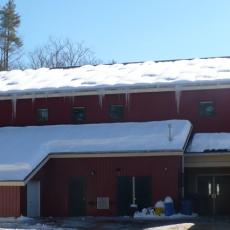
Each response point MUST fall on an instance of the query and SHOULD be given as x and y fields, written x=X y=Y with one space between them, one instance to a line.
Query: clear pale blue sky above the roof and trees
x=130 y=30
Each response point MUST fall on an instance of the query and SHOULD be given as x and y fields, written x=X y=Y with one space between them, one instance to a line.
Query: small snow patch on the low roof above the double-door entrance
x=209 y=142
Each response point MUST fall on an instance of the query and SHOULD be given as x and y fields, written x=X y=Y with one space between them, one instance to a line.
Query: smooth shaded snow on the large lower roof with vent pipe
x=23 y=148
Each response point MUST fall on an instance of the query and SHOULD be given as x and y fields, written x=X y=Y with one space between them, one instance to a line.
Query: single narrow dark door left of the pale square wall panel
x=77 y=196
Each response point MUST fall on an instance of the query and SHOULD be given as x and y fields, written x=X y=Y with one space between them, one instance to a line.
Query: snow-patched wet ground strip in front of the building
x=116 y=223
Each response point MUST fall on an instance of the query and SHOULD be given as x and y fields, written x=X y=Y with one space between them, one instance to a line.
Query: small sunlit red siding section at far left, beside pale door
x=10 y=202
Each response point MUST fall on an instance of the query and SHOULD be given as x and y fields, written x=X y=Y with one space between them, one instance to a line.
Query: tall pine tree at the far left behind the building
x=9 y=40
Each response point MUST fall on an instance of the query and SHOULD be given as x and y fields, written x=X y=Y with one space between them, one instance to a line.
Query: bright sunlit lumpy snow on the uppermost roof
x=117 y=76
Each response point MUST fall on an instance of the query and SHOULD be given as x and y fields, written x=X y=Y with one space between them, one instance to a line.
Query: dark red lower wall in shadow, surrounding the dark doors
x=54 y=177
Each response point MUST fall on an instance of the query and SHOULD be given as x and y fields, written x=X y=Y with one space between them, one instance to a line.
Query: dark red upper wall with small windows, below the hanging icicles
x=139 y=107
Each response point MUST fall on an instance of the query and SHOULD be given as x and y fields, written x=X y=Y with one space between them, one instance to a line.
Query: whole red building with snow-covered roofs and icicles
x=113 y=96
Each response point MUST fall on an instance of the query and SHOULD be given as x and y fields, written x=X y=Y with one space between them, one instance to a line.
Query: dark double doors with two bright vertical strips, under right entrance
x=214 y=195
